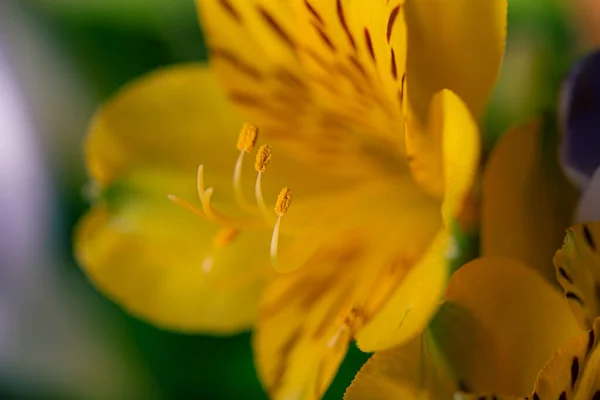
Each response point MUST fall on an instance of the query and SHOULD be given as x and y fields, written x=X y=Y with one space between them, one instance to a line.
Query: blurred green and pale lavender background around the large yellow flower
x=59 y=60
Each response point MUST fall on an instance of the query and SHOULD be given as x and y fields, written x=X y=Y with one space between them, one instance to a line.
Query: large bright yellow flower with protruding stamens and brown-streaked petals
x=359 y=240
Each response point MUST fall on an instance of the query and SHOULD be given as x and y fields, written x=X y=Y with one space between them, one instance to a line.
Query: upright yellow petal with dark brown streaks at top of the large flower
x=313 y=73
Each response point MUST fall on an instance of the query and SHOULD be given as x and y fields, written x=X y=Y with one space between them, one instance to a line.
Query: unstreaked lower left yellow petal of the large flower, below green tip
x=166 y=265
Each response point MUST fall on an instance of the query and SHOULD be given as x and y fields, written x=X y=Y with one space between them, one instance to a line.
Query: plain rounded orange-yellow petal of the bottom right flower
x=526 y=317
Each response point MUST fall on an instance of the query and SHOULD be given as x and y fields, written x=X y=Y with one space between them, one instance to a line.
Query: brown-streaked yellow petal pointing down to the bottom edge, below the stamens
x=309 y=316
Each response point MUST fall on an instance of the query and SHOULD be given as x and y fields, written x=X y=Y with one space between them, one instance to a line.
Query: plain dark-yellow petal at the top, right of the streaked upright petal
x=455 y=45
